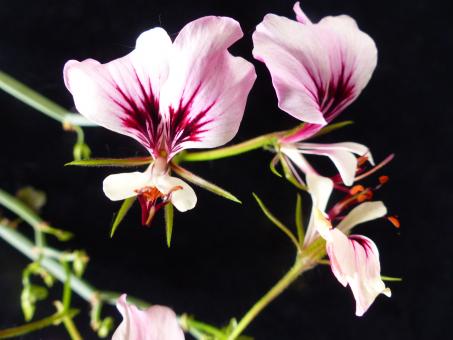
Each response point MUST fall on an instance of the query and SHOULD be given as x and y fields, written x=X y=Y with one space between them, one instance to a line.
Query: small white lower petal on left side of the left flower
x=121 y=186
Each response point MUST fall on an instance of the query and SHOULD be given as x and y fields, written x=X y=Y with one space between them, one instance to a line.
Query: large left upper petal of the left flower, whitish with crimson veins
x=123 y=95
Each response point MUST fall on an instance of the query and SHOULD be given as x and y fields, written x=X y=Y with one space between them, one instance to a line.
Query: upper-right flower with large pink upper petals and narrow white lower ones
x=317 y=70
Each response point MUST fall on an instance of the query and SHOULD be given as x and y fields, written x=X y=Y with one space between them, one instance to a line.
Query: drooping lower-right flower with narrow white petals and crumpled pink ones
x=355 y=259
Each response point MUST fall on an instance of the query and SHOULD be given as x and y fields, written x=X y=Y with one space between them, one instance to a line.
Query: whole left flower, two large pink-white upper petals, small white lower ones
x=169 y=96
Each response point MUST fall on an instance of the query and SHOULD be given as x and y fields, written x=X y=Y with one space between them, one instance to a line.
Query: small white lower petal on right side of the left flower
x=183 y=197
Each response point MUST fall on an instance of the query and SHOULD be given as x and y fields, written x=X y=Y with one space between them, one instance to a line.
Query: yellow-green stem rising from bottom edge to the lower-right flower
x=275 y=291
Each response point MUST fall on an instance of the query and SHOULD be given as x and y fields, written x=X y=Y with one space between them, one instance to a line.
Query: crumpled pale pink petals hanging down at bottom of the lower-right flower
x=355 y=261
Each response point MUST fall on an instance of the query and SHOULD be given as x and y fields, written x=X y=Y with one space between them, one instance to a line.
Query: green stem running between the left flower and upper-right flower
x=233 y=150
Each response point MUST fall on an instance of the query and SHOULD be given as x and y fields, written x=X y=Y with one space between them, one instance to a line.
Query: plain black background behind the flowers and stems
x=225 y=256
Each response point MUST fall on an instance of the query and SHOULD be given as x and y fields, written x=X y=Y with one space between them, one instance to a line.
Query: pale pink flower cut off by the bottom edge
x=154 y=323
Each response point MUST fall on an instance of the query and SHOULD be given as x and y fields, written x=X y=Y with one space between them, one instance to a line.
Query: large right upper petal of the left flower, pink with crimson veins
x=207 y=87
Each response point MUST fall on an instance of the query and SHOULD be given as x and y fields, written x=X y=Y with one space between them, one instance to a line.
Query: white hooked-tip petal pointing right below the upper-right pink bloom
x=341 y=154
